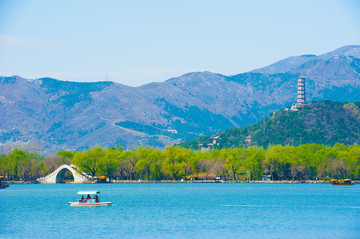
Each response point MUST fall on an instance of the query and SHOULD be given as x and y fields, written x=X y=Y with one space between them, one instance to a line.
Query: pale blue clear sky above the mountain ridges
x=136 y=42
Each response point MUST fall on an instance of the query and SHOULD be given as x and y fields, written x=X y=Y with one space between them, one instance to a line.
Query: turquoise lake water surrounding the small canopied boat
x=182 y=210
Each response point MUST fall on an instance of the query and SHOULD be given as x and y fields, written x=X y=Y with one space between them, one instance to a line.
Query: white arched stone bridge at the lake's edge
x=58 y=175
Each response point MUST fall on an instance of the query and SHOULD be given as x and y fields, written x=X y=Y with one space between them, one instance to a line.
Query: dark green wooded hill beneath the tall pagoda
x=323 y=122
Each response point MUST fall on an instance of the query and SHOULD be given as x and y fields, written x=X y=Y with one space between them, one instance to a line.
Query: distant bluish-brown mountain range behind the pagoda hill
x=71 y=115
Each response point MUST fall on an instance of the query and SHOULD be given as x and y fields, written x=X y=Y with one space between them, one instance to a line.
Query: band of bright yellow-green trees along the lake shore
x=307 y=161
